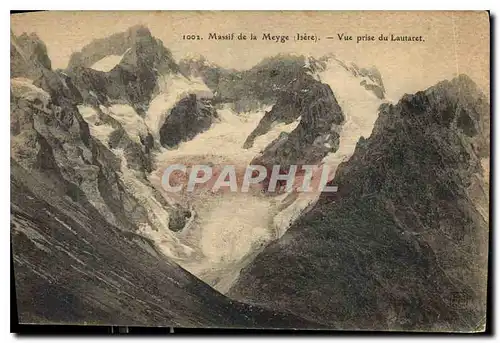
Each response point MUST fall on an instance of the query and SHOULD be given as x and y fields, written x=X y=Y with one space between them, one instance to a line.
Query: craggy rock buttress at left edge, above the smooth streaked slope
x=55 y=141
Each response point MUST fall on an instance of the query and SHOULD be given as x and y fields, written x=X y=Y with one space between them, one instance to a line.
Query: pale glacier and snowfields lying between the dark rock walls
x=228 y=229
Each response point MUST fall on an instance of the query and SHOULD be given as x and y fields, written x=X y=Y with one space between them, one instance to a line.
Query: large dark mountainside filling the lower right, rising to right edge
x=402 y=246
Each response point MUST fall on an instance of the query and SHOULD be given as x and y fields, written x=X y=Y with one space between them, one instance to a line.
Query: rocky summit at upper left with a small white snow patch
x=133 y=80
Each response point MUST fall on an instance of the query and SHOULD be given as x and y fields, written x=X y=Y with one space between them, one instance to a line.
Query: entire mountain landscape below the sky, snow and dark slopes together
x=400 y=246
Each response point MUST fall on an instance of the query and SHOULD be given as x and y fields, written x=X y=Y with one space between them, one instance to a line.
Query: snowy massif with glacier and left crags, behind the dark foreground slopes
x=317 y=105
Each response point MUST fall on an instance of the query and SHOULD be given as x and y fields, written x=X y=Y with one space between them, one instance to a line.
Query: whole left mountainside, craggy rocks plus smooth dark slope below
x=77 y=256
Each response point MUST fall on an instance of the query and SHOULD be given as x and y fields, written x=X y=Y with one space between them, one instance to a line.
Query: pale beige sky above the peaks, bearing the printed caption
x=455 y=42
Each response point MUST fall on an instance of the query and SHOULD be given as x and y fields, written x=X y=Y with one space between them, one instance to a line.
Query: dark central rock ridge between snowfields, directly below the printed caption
x=286 y=82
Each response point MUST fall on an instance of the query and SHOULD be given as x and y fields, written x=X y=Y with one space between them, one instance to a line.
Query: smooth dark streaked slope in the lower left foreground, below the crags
x=73 y=267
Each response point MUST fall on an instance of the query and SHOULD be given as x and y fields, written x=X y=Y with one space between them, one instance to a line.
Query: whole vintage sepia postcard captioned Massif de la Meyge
x=305 y=170
